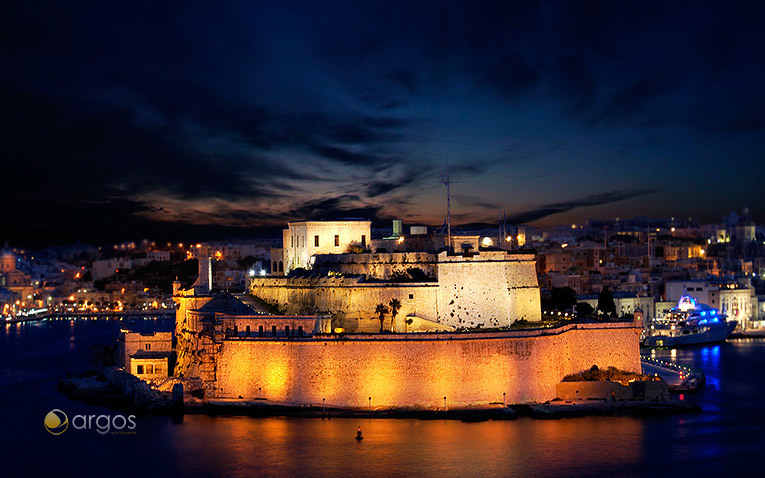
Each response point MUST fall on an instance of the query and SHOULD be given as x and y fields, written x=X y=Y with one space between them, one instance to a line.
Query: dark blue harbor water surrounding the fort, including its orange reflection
x=726 y=439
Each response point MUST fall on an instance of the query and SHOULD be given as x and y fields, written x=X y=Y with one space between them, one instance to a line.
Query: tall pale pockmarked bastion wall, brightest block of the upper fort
x=490 y=289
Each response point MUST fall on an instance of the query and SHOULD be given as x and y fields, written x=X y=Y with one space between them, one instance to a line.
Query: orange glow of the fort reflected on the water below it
x=307 y=447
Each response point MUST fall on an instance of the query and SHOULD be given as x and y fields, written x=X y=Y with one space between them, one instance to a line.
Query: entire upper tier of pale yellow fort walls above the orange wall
x=490 y=289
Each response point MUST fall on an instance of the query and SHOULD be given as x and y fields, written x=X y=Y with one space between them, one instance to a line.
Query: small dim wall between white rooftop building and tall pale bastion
x=377 y=265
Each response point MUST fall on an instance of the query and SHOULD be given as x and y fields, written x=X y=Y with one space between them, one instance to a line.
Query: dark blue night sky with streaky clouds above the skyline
x=145 y=120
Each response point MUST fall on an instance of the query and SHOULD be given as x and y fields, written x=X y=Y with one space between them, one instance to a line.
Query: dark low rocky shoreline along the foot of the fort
x=119 y=390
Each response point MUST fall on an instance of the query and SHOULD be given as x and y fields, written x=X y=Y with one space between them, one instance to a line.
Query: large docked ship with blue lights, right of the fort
x=689 y=323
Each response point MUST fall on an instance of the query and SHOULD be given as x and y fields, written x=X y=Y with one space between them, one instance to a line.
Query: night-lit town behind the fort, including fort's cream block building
x=601 y=268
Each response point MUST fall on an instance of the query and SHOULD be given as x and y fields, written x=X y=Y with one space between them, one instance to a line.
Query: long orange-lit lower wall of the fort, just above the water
x=419 y=370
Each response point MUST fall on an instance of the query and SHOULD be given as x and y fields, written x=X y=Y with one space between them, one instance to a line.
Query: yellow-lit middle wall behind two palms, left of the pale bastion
x=349 y=299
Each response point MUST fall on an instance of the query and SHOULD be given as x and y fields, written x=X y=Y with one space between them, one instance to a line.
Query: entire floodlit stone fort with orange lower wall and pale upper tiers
x=451 y=344
